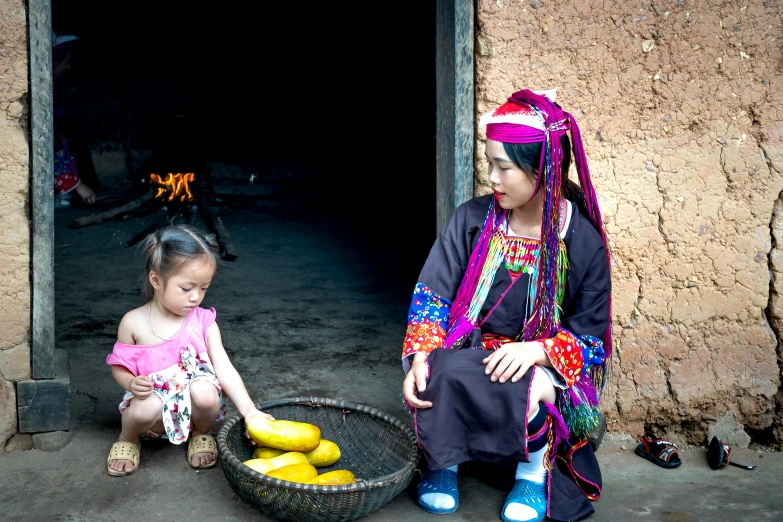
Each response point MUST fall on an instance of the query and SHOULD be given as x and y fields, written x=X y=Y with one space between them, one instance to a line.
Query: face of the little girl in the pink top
x=184 y=290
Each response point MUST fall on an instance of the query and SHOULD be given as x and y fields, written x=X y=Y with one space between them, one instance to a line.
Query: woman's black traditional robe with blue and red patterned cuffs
x=473 y=418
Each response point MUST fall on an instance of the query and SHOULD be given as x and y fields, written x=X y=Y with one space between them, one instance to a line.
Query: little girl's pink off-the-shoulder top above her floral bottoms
x=148 y=359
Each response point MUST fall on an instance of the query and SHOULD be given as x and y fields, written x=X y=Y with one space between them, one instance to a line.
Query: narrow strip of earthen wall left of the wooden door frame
x=14 y=221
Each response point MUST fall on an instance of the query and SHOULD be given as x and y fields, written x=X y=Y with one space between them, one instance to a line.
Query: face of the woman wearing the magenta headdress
x=512 y=186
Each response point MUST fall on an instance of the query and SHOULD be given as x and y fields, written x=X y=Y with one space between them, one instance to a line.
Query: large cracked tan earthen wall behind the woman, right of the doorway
x=679 y=104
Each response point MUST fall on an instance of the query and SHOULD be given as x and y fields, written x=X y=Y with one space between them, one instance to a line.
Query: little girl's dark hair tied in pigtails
x=168 y=248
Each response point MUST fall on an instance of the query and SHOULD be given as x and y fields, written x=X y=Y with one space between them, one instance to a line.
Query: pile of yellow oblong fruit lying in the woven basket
x=292 y=451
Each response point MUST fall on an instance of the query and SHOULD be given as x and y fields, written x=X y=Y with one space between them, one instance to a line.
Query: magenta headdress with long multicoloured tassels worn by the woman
x=534 y=117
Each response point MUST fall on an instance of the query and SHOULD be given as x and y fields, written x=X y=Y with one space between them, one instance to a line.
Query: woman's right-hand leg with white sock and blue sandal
x=527 y=500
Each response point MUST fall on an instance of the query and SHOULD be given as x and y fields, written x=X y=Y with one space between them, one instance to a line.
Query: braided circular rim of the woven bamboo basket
x=228 y=458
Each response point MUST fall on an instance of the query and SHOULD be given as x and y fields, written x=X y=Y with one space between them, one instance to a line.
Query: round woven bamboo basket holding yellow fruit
x=380 y=450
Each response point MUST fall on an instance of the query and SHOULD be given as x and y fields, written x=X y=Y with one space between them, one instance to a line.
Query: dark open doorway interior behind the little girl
x=315 y=128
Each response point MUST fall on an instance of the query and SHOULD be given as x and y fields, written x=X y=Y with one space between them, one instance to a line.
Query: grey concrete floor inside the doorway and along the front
x=304 y=311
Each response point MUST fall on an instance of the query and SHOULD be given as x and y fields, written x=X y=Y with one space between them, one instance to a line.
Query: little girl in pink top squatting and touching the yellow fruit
x=169 y=356
